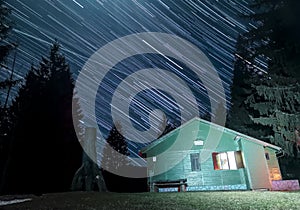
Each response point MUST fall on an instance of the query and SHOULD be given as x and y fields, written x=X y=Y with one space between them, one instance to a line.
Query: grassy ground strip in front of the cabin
x=188 y=200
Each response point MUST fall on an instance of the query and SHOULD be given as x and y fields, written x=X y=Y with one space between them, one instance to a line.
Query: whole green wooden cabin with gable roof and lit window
x=200 y=156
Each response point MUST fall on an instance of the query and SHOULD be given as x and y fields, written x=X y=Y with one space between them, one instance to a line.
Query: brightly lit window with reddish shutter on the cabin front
x=228 y=160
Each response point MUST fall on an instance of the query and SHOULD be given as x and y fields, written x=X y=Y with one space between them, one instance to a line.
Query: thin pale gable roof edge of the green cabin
x=245 y=137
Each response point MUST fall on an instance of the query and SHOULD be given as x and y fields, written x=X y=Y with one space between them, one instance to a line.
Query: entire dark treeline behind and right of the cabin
x=266 y=84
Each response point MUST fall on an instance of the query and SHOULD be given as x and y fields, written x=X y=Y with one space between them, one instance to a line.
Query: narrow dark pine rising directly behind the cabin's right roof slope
x=245 y=74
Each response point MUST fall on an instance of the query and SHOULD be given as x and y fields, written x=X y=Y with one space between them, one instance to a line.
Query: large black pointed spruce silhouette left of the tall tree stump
x=44 y=150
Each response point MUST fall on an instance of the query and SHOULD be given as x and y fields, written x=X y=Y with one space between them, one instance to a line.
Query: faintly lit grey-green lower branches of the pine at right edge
x=276 y=104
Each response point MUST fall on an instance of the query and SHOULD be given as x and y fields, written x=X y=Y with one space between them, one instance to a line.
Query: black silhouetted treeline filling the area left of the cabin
x=39 y=149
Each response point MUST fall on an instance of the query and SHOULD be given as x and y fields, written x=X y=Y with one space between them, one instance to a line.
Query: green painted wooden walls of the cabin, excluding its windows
x=197 y=129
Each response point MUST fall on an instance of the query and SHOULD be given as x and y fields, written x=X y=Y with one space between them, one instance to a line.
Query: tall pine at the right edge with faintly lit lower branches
x=274 y=100
